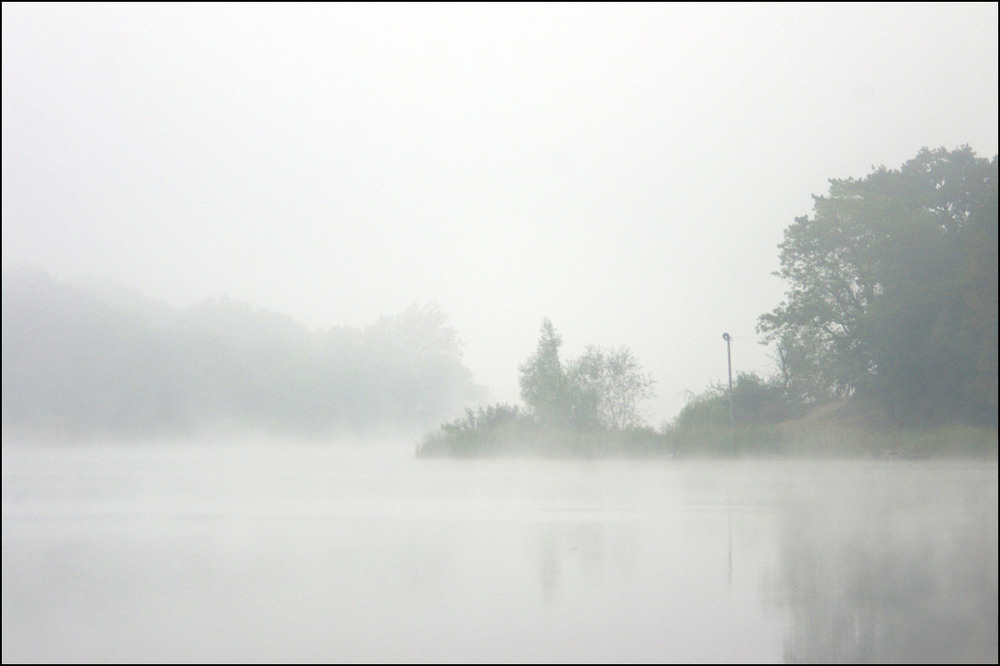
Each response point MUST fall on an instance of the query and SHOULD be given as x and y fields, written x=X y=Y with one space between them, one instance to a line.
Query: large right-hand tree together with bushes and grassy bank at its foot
x=886 y=342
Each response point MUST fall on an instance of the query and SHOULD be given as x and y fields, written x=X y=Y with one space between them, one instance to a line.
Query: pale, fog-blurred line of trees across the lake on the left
x=95 y=361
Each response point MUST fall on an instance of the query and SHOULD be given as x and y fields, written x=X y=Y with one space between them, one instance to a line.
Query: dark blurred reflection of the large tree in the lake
x=894 y=565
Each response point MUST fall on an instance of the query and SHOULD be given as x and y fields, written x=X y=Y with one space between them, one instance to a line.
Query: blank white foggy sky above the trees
x=625 y=170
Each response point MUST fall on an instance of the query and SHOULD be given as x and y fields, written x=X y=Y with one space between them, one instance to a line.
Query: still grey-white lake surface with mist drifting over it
x=306 y=553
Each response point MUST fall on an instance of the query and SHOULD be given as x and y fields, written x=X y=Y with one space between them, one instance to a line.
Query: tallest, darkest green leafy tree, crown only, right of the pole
x=893 y=290
